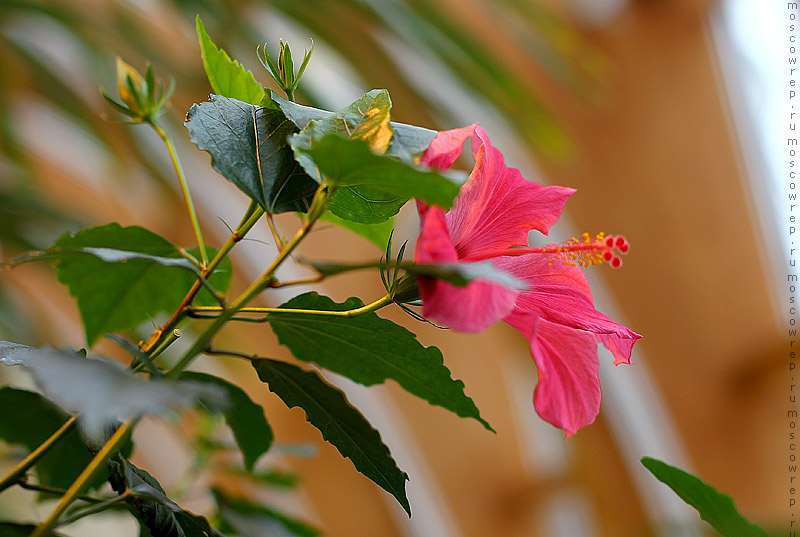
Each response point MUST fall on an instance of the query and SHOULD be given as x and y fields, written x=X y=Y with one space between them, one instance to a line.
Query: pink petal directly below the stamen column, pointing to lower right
x=560 y=294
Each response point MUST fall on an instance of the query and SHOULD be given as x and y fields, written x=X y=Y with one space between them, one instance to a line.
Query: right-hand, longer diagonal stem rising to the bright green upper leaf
x=263 y=281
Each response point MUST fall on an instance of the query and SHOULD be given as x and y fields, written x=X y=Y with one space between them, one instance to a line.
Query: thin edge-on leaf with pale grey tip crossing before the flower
x=459 y=274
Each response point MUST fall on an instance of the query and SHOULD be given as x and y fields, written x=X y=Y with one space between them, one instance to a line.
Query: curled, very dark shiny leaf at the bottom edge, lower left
x=151 y=506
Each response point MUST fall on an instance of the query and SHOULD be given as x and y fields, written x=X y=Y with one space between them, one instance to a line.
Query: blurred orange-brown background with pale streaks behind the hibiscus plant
x=665 y=115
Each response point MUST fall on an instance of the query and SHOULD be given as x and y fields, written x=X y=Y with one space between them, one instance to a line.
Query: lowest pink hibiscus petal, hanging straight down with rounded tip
x=568 y=393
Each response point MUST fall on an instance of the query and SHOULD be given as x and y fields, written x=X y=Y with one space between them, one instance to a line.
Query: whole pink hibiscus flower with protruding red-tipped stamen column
x=491 y=219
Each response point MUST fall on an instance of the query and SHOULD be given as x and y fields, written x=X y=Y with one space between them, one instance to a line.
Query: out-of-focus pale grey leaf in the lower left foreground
x=102 y=392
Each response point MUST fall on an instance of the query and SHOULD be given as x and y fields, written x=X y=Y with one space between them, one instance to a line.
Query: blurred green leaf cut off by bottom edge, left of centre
x=253 y=520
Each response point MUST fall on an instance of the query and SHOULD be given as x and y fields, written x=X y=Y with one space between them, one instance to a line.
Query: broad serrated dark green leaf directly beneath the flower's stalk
x=369 y=350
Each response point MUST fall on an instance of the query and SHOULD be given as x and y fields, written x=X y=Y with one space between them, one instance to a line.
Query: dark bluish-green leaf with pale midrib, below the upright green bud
x=248 y=147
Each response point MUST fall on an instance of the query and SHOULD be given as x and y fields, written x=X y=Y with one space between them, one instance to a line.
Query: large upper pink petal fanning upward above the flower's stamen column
x=497 y=207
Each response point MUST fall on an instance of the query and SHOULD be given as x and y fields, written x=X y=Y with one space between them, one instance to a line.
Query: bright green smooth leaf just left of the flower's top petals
x=351 y=163
